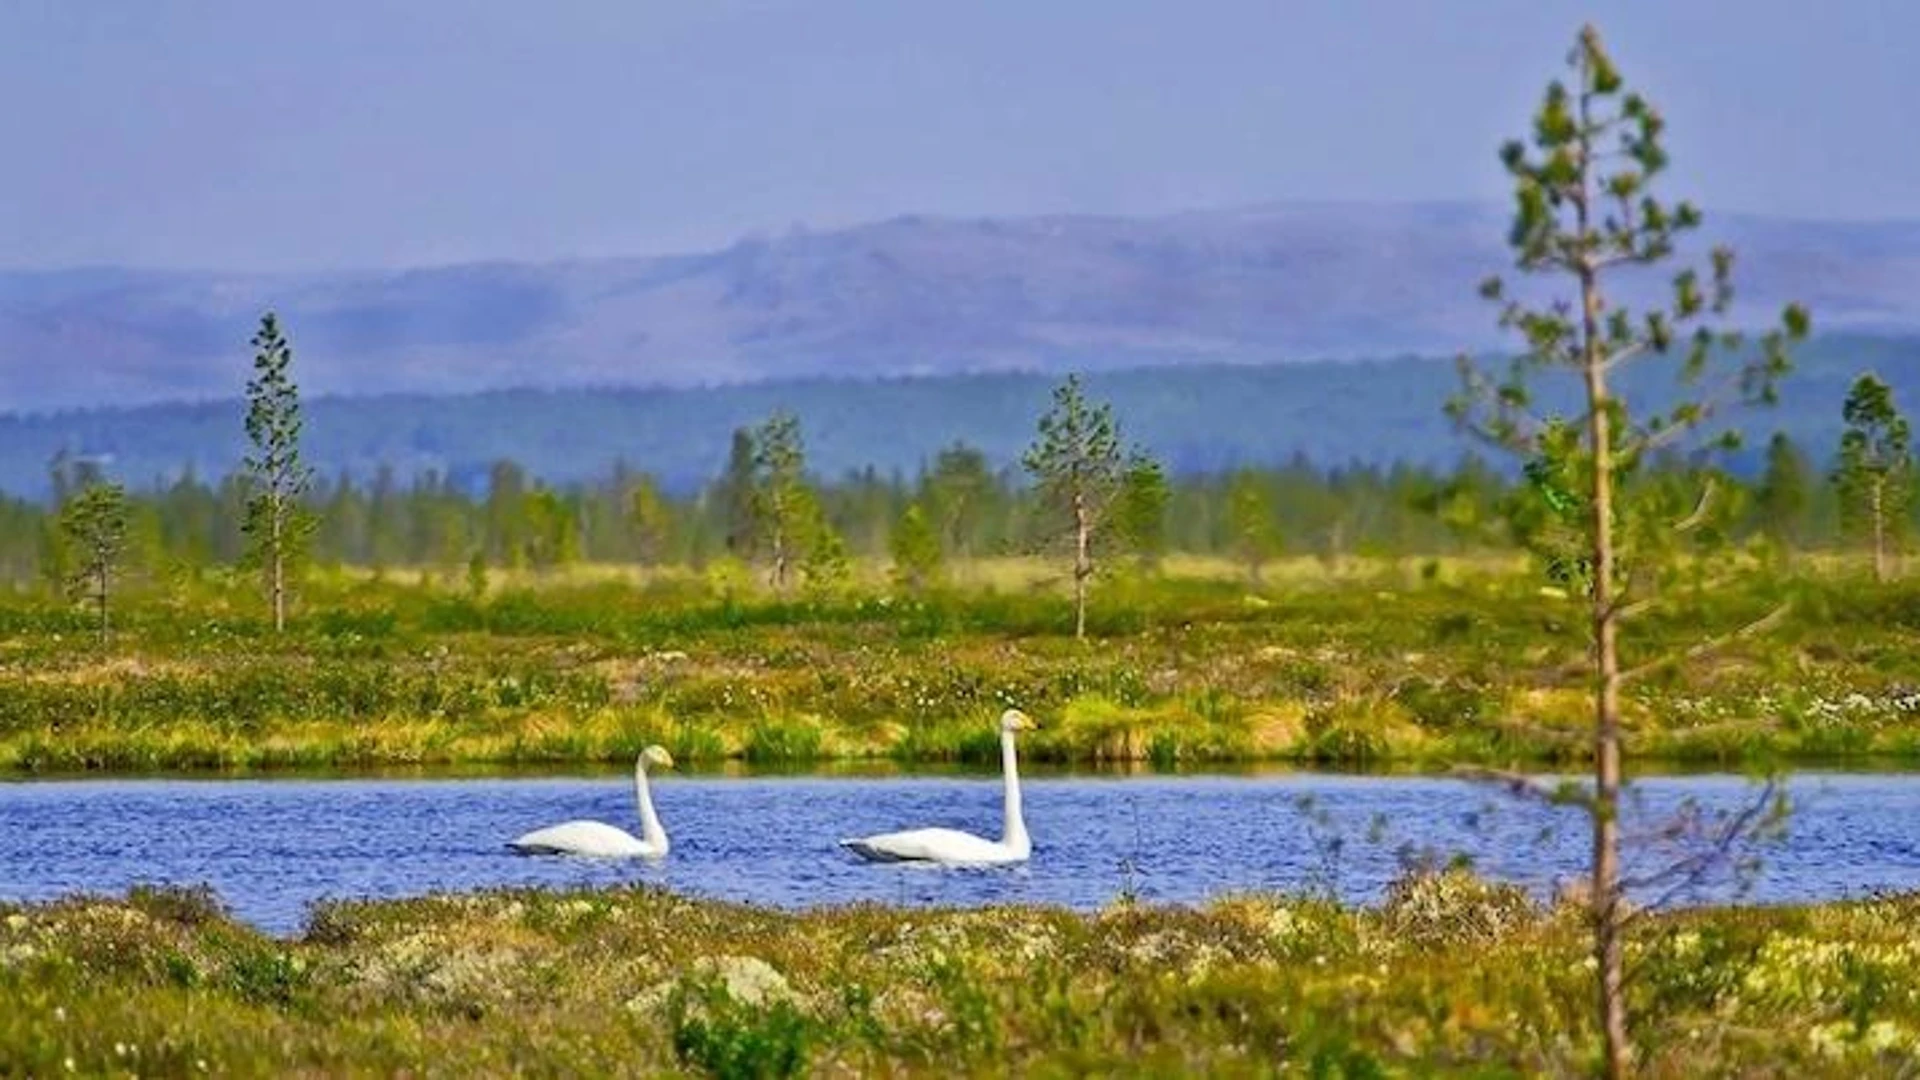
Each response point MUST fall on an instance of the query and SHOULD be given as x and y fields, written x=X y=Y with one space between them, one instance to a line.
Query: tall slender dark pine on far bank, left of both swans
x=277 y=522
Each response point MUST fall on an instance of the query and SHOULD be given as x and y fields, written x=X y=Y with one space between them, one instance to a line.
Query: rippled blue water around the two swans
x=276 y=847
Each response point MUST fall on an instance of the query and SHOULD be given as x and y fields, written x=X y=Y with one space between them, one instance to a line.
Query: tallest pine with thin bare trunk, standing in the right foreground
x=1585 y=210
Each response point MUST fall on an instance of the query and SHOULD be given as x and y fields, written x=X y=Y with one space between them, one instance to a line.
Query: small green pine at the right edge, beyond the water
x=1875 y=472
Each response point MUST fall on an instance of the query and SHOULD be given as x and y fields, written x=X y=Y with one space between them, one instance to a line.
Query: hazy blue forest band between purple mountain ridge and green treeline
x=1197 y=420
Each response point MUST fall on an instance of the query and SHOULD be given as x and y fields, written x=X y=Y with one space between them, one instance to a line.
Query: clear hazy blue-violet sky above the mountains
x=274 y=135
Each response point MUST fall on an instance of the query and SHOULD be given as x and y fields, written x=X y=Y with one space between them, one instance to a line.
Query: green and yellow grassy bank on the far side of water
x=1412 y=664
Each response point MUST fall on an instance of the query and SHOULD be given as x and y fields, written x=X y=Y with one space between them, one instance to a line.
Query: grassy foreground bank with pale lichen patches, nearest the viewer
x=1451 y=975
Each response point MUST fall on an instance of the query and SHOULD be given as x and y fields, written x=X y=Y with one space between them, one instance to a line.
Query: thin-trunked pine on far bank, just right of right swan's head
x=1078 y=472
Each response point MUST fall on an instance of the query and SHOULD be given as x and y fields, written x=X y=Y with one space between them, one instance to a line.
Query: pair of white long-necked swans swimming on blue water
x=948 y=847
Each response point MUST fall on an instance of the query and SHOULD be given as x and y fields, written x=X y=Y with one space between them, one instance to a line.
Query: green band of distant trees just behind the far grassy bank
x=957 y=508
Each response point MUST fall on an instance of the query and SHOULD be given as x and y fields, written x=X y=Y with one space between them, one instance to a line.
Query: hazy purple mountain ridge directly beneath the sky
x=905 y=297
